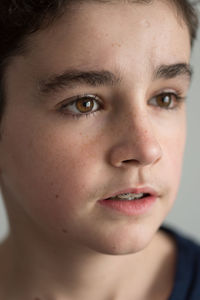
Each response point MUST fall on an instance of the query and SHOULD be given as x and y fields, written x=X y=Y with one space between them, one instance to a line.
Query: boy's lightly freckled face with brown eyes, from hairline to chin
x=55 y=167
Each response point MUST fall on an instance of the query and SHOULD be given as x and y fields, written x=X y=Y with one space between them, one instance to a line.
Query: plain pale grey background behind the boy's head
x=185 y=215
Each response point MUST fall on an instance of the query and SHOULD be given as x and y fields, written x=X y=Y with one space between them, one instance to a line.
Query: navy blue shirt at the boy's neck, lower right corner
x=187 y=277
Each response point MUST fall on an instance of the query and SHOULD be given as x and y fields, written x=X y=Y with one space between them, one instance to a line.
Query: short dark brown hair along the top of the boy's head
x=21 y=18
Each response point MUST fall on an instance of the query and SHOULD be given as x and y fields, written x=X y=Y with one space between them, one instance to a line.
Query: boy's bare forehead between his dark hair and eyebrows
x=91 y=35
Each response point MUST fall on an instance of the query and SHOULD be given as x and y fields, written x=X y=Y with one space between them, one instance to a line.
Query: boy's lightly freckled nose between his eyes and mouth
x=136 y=142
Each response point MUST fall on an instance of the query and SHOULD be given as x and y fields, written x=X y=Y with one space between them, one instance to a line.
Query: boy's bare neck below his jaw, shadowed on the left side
x=44 y=269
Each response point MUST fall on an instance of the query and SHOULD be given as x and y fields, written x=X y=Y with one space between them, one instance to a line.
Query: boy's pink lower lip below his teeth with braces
x=130 y=207
